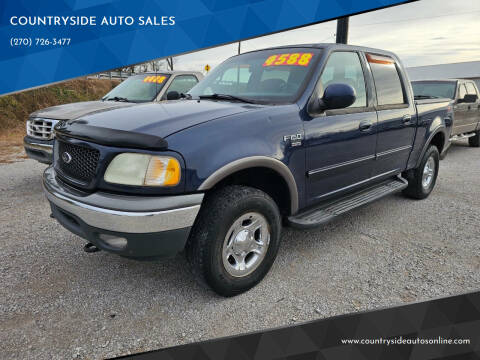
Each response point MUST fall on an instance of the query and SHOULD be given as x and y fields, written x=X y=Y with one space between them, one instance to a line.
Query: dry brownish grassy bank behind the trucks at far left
x=15 y=109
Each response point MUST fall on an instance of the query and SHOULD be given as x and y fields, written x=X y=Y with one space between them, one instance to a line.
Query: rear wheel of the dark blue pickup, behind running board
x=420 y=186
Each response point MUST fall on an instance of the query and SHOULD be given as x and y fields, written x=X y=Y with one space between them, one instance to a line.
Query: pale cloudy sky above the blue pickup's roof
x=426 y=32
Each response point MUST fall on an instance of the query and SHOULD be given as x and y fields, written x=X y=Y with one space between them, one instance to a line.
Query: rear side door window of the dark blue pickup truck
x=387 y=80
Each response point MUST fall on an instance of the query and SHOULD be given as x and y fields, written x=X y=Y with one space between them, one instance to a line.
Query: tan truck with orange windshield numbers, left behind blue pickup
x=140 y=88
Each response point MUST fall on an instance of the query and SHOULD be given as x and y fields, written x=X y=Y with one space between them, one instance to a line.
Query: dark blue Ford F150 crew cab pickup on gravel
x=290 y=136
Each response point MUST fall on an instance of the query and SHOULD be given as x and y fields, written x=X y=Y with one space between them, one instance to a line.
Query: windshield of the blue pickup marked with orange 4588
x=269 y=76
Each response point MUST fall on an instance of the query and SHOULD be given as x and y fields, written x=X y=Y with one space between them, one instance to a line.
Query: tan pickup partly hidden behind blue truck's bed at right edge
x=466 y=105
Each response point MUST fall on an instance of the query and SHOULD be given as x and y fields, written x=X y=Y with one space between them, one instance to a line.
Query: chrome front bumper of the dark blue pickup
x=124 y=214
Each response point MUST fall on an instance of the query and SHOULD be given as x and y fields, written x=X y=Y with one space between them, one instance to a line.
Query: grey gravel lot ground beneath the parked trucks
x=58 y=302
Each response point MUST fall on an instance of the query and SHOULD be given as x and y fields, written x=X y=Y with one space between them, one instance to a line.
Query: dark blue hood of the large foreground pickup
x=151 y=119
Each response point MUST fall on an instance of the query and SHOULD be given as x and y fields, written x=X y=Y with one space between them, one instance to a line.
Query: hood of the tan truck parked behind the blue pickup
x=76 y=110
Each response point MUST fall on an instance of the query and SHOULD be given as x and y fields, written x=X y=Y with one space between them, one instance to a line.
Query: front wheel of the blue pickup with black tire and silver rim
x=224 y=250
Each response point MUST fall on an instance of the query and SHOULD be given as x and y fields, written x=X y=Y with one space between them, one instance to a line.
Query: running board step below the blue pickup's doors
x=328 y=211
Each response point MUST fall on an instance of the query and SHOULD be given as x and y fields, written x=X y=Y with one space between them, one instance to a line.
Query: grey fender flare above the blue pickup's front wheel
x=256 y=161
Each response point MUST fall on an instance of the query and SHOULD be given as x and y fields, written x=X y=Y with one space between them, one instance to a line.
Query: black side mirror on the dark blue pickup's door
x=336 y=96
